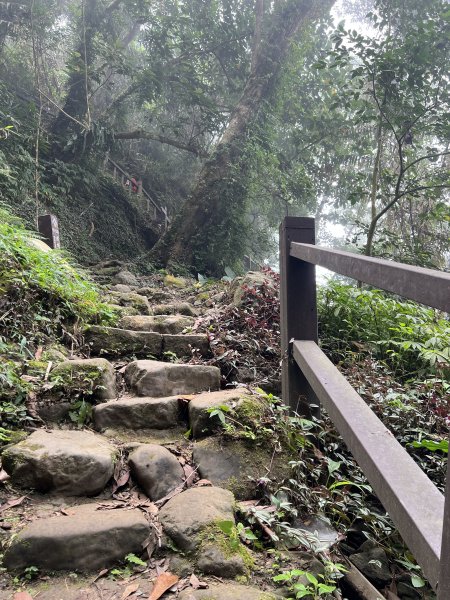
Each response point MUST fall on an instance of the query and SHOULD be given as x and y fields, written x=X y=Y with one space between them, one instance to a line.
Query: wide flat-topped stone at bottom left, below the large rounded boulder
x=86 y=539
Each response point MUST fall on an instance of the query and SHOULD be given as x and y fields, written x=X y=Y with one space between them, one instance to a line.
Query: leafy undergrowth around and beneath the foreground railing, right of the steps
x=396 y=355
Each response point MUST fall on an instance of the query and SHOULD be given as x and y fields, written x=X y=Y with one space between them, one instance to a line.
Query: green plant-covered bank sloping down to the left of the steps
x=44 y=299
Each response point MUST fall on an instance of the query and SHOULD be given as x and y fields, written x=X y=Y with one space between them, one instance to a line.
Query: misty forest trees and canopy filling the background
x=235 y=113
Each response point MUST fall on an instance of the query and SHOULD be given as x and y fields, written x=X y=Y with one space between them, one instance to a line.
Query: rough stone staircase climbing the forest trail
x=83 y=516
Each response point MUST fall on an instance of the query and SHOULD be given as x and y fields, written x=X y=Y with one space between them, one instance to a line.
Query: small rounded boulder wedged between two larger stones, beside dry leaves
x=156 y=470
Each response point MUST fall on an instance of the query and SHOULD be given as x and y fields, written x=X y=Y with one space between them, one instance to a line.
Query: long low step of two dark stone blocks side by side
x=113 y=341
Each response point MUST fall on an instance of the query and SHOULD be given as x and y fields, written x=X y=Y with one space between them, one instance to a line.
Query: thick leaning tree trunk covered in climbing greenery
x=210 y=230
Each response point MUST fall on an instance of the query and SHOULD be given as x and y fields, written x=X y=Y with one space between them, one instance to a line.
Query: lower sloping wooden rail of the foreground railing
x=414 y=503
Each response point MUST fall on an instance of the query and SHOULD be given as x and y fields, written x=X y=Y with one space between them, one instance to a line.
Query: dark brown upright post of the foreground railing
x=298 y=312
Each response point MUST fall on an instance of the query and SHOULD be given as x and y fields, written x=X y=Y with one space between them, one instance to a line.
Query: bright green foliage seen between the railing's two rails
x=413 y=340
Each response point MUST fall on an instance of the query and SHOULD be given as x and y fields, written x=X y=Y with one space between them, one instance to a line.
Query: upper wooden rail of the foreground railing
x=426 y=286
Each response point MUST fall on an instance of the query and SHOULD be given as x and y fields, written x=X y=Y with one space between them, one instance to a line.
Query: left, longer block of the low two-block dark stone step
x=113 y=341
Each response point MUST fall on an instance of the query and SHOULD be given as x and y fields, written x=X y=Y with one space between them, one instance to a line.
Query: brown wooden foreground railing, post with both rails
x=418 y=509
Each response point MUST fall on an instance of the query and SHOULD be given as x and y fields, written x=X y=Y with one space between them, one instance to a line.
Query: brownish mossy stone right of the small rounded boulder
x=237 y=465
